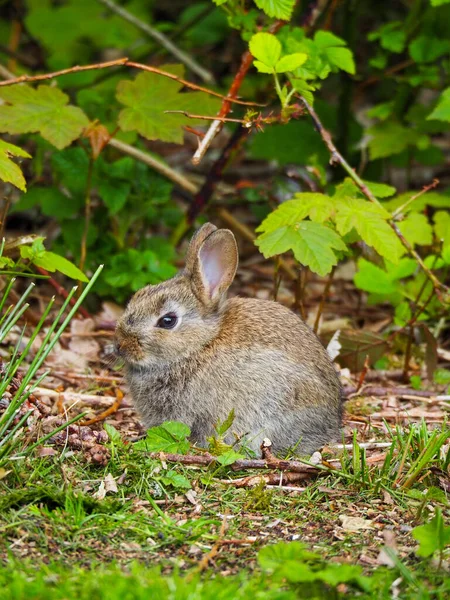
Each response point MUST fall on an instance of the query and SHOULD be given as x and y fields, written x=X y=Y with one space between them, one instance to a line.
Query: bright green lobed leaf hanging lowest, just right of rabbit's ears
x=313 y=245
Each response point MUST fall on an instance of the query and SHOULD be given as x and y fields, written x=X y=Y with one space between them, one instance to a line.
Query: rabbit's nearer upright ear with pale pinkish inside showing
x=215 y=266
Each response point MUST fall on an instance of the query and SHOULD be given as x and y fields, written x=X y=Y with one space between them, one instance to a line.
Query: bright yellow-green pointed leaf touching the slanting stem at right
x=369 y=220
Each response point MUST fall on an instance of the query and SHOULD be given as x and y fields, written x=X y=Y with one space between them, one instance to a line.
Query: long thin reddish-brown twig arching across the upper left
x=120 y=62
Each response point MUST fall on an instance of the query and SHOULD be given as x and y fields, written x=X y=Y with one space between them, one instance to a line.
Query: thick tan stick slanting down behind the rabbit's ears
x=186 y=184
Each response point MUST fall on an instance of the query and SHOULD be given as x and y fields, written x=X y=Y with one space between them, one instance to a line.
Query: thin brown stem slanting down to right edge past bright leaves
x=337 y=158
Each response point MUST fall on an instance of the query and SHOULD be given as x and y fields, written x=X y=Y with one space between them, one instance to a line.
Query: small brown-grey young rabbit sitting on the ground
x=192 y=355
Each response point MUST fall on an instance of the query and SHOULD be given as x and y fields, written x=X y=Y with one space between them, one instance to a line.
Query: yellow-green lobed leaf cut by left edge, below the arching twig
x=43 y=110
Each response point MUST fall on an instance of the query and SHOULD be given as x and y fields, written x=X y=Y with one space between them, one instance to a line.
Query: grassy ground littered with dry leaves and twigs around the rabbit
x=88 y=498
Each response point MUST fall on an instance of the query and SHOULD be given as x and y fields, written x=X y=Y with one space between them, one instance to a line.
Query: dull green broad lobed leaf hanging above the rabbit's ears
x=150 y=95
